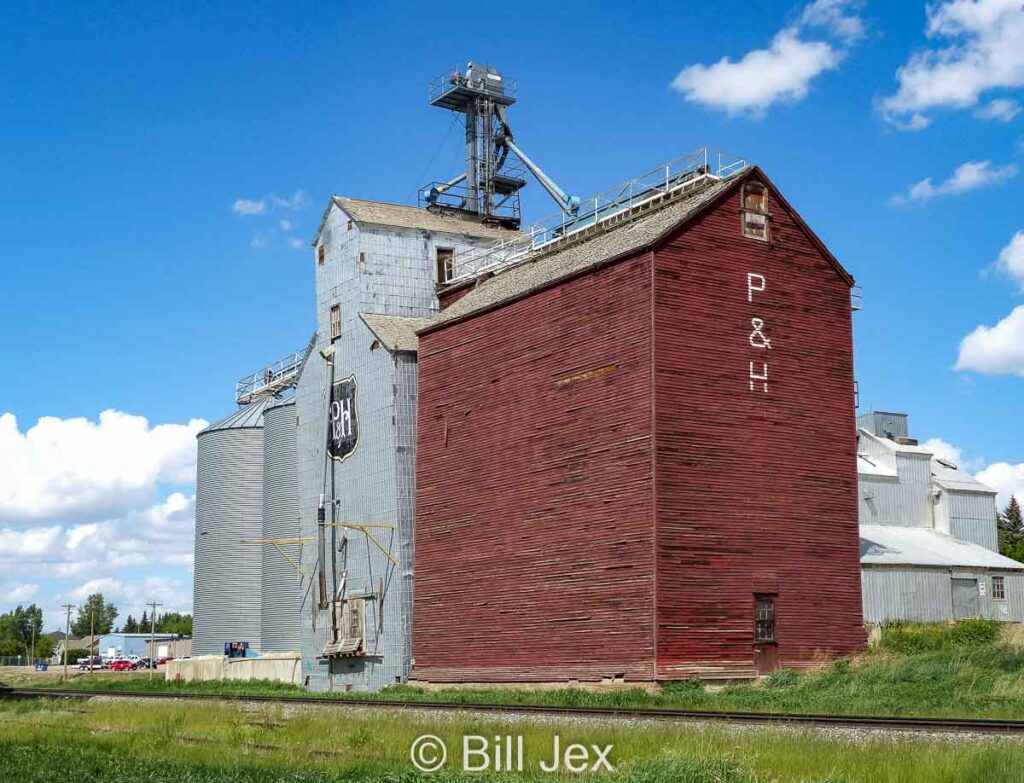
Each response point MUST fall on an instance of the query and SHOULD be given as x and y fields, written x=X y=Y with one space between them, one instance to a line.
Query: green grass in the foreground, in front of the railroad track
x=132 y=743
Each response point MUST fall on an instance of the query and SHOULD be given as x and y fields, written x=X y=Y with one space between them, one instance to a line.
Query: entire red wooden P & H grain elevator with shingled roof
x=637 y=454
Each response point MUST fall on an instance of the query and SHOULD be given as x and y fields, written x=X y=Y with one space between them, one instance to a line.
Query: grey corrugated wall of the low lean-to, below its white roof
x=925 y=595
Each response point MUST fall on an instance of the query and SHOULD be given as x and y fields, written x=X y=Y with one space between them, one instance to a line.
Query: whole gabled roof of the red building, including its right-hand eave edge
x=645 y=230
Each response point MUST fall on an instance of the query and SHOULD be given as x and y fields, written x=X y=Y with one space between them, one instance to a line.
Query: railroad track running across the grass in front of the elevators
x=966 y=725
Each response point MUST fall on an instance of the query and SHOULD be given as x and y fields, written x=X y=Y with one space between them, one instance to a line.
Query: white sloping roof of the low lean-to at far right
x=888 y=545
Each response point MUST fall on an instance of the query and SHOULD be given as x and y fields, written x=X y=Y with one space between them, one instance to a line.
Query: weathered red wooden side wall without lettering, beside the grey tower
x=535 y=505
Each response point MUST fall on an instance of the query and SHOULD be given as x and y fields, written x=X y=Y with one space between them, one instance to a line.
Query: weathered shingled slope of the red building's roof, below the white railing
x=550 y=265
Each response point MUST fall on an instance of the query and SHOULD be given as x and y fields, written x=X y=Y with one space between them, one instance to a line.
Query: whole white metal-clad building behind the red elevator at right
x=929 y=546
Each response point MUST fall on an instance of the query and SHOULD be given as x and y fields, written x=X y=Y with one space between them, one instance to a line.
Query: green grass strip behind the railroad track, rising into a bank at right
x=964 y=671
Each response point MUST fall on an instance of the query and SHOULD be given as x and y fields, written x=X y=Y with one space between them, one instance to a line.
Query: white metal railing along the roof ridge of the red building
x=672 y=179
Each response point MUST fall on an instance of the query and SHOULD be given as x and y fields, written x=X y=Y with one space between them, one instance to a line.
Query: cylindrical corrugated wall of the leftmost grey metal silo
x=229 y=510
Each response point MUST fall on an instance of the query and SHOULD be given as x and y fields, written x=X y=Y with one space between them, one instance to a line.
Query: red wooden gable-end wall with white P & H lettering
x=756 y=493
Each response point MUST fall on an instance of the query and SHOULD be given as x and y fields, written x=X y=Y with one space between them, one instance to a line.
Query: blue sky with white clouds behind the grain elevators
x=135 y=141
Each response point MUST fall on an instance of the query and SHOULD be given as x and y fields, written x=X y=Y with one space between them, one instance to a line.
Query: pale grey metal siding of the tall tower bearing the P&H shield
x=396 y=277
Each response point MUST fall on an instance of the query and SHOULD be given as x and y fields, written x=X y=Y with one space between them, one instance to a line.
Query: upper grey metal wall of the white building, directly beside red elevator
x=907 y=502
